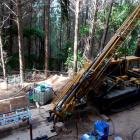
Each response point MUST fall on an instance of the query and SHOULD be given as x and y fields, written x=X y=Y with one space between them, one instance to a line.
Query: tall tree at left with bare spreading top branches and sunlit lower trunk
x=20 y=9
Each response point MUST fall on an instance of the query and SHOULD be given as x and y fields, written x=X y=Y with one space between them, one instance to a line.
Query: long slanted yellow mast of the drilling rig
x=87 y=80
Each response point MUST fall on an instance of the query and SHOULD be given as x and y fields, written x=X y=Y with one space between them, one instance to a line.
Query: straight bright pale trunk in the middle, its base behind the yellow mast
x=76 y=35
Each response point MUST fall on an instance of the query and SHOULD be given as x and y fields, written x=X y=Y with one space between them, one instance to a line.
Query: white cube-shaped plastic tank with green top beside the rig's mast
x=43 y=93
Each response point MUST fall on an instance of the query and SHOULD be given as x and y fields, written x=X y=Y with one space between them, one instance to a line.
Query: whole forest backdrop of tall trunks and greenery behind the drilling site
x=58 y=35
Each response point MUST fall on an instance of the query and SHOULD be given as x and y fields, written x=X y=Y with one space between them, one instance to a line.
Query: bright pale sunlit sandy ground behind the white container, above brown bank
x=56 y=81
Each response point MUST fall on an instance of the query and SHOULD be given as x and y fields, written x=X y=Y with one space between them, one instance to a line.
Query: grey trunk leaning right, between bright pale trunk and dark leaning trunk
x=91 y=50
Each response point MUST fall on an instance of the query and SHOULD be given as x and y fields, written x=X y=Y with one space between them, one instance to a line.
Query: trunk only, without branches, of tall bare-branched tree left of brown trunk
x=20 y=41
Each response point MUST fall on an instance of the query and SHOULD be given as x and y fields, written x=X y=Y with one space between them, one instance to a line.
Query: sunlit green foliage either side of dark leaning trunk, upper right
x=118 y=16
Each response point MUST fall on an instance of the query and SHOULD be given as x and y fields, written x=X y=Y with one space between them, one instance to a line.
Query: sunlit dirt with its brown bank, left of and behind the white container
x=7 y=96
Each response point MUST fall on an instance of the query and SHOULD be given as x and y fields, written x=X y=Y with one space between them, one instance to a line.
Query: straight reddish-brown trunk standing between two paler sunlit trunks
x=47 y=17
